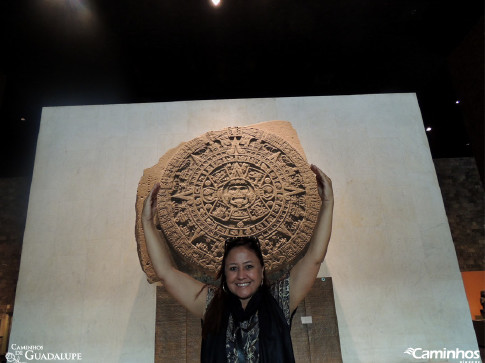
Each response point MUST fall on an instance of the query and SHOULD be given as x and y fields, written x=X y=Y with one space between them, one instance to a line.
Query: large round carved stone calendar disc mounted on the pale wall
x=240 y=181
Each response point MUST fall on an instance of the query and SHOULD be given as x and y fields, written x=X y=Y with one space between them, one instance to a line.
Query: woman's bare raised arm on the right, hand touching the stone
x=304 y=273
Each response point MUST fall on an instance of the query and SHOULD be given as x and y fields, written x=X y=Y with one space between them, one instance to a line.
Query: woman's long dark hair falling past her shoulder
x=213 y=316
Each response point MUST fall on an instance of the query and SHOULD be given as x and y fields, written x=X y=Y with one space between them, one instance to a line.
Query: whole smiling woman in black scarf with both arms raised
x=244 y=320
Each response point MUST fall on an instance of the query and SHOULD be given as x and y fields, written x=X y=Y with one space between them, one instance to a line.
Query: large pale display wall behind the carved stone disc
x=395 y=274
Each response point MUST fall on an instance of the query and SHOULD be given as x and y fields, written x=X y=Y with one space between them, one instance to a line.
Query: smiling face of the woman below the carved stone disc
x=244 y=273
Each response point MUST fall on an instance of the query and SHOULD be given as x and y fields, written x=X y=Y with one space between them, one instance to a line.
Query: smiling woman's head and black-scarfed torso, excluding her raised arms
x=248 y=316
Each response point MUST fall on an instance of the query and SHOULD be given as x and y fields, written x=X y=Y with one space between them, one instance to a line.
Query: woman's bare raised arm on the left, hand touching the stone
x=188 y=291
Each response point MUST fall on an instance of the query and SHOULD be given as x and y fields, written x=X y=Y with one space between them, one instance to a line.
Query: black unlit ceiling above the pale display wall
x=75 y=52
